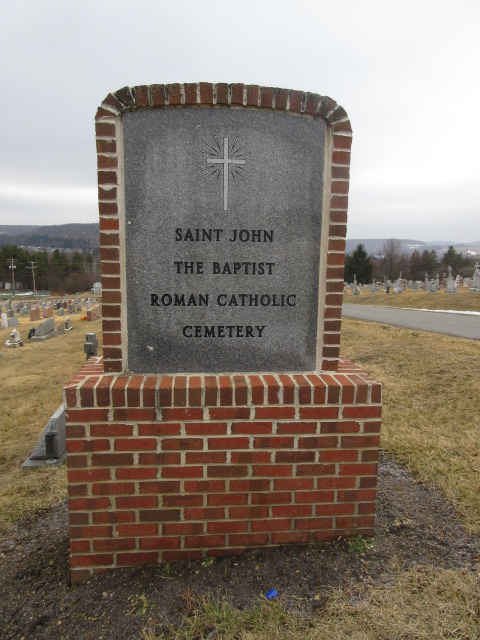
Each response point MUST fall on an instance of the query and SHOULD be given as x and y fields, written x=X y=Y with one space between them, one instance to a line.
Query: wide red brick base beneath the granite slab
x=178 y=467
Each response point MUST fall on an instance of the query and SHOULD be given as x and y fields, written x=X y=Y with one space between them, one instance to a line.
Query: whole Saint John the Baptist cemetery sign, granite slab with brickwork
x=221 y=415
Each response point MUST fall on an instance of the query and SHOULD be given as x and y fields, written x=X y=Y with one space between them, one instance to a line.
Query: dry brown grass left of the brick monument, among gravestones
x=31 y=382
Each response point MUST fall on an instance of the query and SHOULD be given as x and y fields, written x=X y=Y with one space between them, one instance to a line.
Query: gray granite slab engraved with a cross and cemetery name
x=222 y=268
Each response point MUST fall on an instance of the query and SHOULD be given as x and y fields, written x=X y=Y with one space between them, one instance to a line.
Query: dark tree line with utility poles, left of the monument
x=56 y=271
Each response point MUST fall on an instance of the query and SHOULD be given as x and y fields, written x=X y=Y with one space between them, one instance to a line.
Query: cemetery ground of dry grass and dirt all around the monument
x=418 y=579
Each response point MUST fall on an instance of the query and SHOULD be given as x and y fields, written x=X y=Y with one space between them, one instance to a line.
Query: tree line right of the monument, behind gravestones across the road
x=393 y=259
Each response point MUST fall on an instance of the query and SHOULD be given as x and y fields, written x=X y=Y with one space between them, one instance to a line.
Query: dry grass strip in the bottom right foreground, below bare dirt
x=417 y=605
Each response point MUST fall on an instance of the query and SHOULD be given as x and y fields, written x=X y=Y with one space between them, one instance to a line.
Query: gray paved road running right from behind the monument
x=462 y=325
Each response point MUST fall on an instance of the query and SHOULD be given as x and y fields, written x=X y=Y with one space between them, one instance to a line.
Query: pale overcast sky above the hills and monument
x=406 y=72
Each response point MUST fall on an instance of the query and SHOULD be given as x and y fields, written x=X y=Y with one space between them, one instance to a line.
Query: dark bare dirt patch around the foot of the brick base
x=415 y=527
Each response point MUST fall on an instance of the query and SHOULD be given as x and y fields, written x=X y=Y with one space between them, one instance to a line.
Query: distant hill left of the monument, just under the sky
x=75 y=236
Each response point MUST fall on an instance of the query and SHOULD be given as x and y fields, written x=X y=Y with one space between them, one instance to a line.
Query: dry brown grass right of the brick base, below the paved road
x=431 y=394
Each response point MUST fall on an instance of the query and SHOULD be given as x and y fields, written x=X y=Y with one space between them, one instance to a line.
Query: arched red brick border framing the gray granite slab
x=108 y=122
